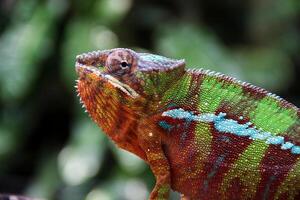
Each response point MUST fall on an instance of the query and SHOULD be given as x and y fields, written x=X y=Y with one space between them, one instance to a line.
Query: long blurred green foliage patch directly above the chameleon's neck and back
x=268 y=68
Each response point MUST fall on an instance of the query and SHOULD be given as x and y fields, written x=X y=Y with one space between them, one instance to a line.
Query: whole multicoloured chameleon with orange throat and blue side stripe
x=204 y=134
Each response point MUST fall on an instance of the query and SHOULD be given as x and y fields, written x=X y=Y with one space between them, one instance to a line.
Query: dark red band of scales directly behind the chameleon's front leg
x=178 y=142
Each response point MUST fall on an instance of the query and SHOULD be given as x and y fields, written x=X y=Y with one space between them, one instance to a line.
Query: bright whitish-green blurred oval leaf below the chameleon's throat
x=83 y=156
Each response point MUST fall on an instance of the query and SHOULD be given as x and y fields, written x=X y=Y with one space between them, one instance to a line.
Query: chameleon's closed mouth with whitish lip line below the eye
x=92 y=71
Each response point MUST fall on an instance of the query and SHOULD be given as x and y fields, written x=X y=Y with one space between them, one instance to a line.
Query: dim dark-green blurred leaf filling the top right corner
x=272 y=23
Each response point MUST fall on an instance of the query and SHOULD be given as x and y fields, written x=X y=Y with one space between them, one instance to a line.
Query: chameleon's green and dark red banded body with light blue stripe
x=230 y=140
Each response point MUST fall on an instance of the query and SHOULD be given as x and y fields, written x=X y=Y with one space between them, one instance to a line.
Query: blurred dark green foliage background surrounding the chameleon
x=50 y=148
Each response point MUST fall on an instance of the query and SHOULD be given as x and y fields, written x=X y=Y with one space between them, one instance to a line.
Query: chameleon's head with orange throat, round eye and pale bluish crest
x=116 y=83
